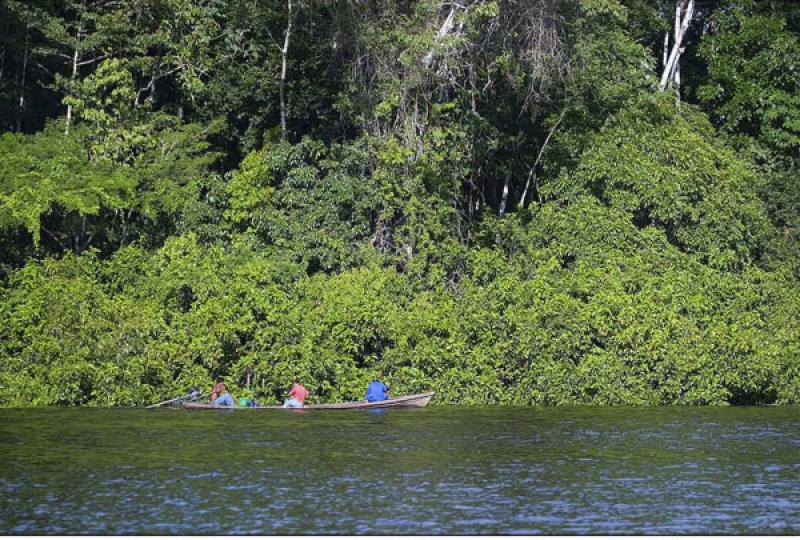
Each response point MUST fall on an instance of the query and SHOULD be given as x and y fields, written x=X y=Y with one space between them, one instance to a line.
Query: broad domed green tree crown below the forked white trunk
x=664 y=168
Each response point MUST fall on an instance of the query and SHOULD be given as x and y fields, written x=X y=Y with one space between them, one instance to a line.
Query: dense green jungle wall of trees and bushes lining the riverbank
x=503 y=201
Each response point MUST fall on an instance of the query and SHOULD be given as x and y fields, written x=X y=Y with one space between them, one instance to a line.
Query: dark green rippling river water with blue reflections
x=436 y=470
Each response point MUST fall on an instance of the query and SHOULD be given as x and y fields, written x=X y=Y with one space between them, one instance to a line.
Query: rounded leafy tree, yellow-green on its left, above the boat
x=307 y=200
